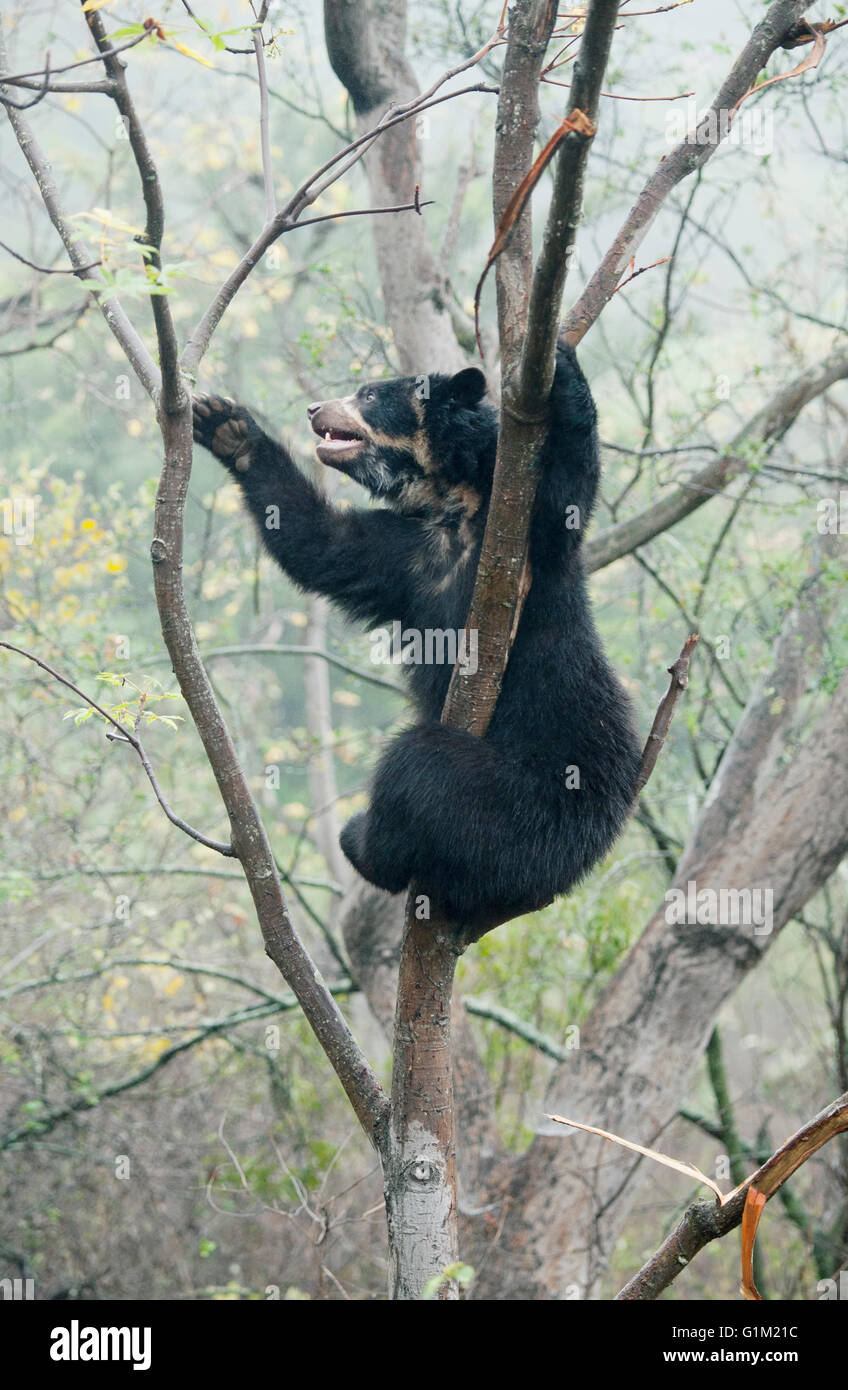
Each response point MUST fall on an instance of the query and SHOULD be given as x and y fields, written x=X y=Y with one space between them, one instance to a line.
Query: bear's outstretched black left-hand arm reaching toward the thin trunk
x=359 y=559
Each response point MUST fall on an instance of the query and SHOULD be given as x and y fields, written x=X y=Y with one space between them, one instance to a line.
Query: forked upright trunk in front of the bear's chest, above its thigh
x=529 y=318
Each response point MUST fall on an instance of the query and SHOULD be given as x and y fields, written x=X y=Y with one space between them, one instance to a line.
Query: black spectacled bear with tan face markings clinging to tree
x=489 y=828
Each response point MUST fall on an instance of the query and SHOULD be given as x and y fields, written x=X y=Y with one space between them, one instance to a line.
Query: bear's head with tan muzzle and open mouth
x=415 y=443
